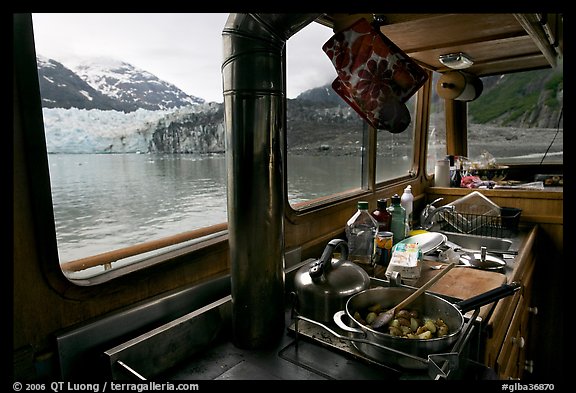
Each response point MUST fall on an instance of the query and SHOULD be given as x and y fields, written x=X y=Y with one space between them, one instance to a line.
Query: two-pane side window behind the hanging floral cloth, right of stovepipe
x=327 y=141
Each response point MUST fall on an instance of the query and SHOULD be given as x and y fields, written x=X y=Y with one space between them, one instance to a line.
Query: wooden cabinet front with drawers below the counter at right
x=508 y=329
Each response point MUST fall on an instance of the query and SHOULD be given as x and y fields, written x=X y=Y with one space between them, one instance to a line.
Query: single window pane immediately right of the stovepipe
x=325 y=136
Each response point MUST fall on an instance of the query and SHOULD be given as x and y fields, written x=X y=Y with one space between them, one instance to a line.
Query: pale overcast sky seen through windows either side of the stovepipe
x=179 y=48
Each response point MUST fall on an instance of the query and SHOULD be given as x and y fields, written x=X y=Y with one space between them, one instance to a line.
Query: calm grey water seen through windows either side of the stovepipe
x=104 y=202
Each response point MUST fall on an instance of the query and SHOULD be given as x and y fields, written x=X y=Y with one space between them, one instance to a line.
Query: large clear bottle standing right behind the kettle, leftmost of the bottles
x=361 y=230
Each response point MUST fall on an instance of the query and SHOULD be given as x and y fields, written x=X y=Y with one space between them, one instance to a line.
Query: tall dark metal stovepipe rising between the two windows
x=254 y=101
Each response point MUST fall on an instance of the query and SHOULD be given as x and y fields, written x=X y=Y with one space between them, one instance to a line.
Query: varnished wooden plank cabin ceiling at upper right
x=497 y=43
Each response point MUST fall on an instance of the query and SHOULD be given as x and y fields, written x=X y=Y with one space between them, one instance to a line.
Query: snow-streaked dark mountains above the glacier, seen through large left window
x=106 y=84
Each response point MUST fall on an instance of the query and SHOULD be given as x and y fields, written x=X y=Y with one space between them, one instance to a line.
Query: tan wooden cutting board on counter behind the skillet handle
x=462 y=282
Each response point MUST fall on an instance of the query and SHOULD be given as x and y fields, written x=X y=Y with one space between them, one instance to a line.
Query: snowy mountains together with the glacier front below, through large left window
x=102 y=105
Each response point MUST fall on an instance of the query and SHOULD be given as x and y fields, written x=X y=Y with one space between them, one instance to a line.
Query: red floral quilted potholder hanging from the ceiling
x=374 y=76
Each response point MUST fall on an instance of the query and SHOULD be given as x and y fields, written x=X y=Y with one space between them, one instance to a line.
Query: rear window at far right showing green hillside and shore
x=518 y=118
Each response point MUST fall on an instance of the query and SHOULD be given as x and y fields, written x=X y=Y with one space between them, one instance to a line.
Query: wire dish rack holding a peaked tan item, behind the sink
x=476 y=215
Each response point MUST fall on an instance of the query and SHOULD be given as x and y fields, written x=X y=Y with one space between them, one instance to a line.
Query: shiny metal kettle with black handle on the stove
x=323 y=286
